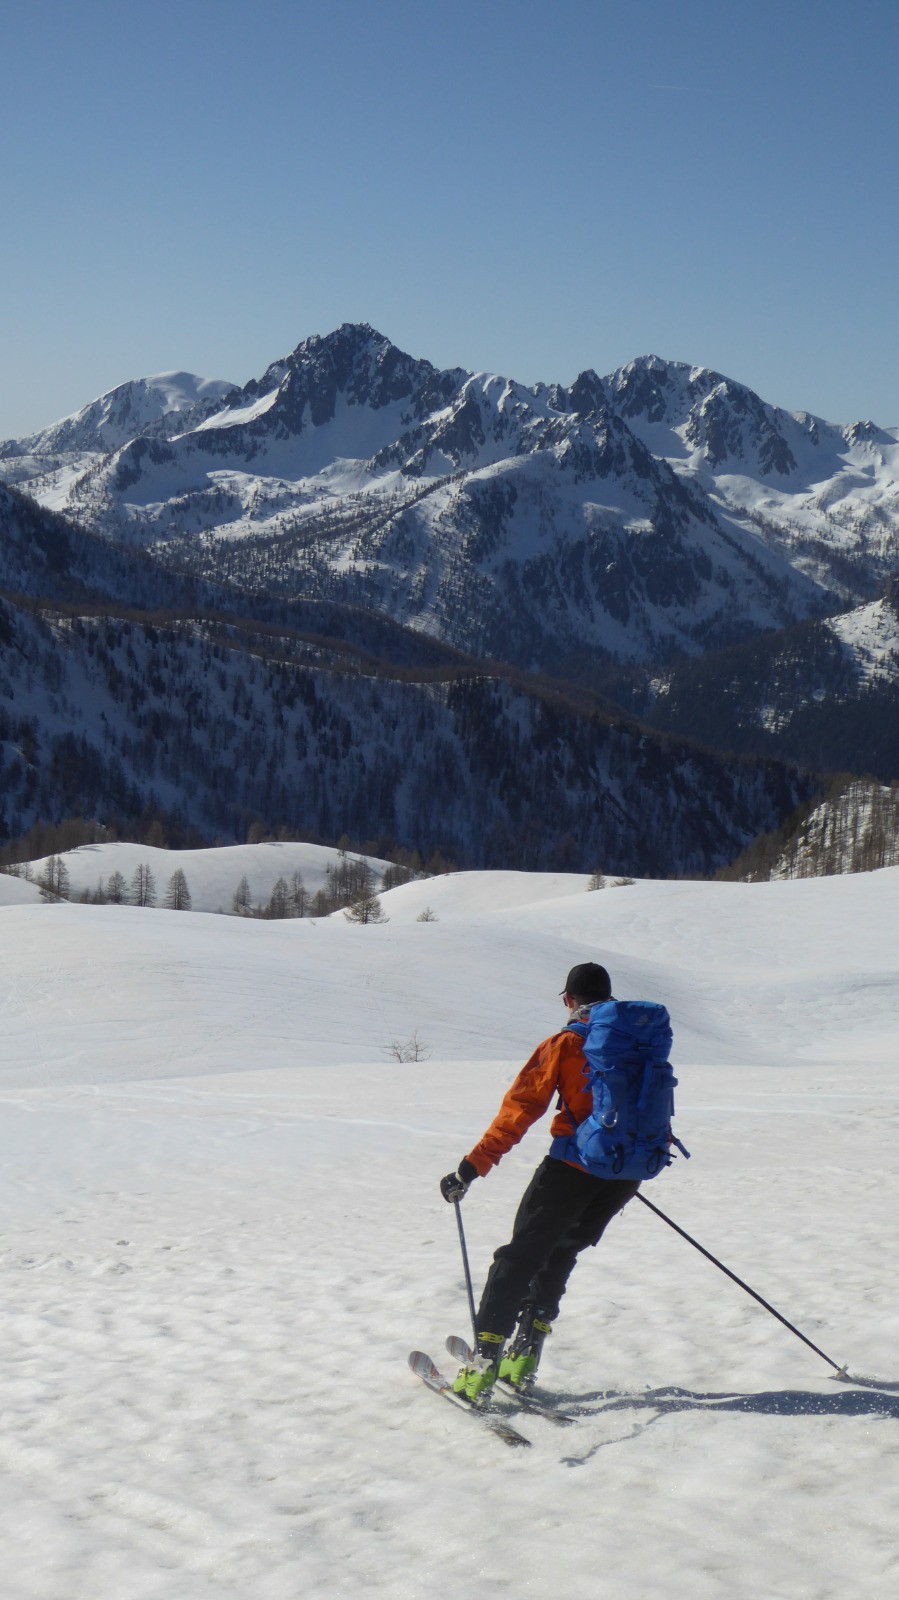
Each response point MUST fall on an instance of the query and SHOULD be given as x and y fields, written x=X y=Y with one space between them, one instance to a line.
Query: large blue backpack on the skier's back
x=629 y=1130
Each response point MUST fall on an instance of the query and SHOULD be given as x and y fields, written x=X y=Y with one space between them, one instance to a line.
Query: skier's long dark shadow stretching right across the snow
x=863 y=1398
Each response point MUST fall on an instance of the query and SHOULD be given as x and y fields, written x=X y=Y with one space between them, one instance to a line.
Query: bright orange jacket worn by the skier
x=556 y=1068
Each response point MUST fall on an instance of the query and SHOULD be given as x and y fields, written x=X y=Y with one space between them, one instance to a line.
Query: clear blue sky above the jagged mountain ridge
x=511 y=186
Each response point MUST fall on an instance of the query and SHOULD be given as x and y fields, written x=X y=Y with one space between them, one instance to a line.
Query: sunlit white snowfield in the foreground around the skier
x=225 y=1234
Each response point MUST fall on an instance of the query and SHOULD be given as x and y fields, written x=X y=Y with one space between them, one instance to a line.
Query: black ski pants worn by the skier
x=562 y=1212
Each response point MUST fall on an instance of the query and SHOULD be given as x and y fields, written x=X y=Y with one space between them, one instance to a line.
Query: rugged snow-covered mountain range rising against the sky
x=657 y=511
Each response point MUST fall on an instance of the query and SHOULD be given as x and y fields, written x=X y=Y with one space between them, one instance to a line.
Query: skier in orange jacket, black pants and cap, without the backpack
x=564 y=1209
